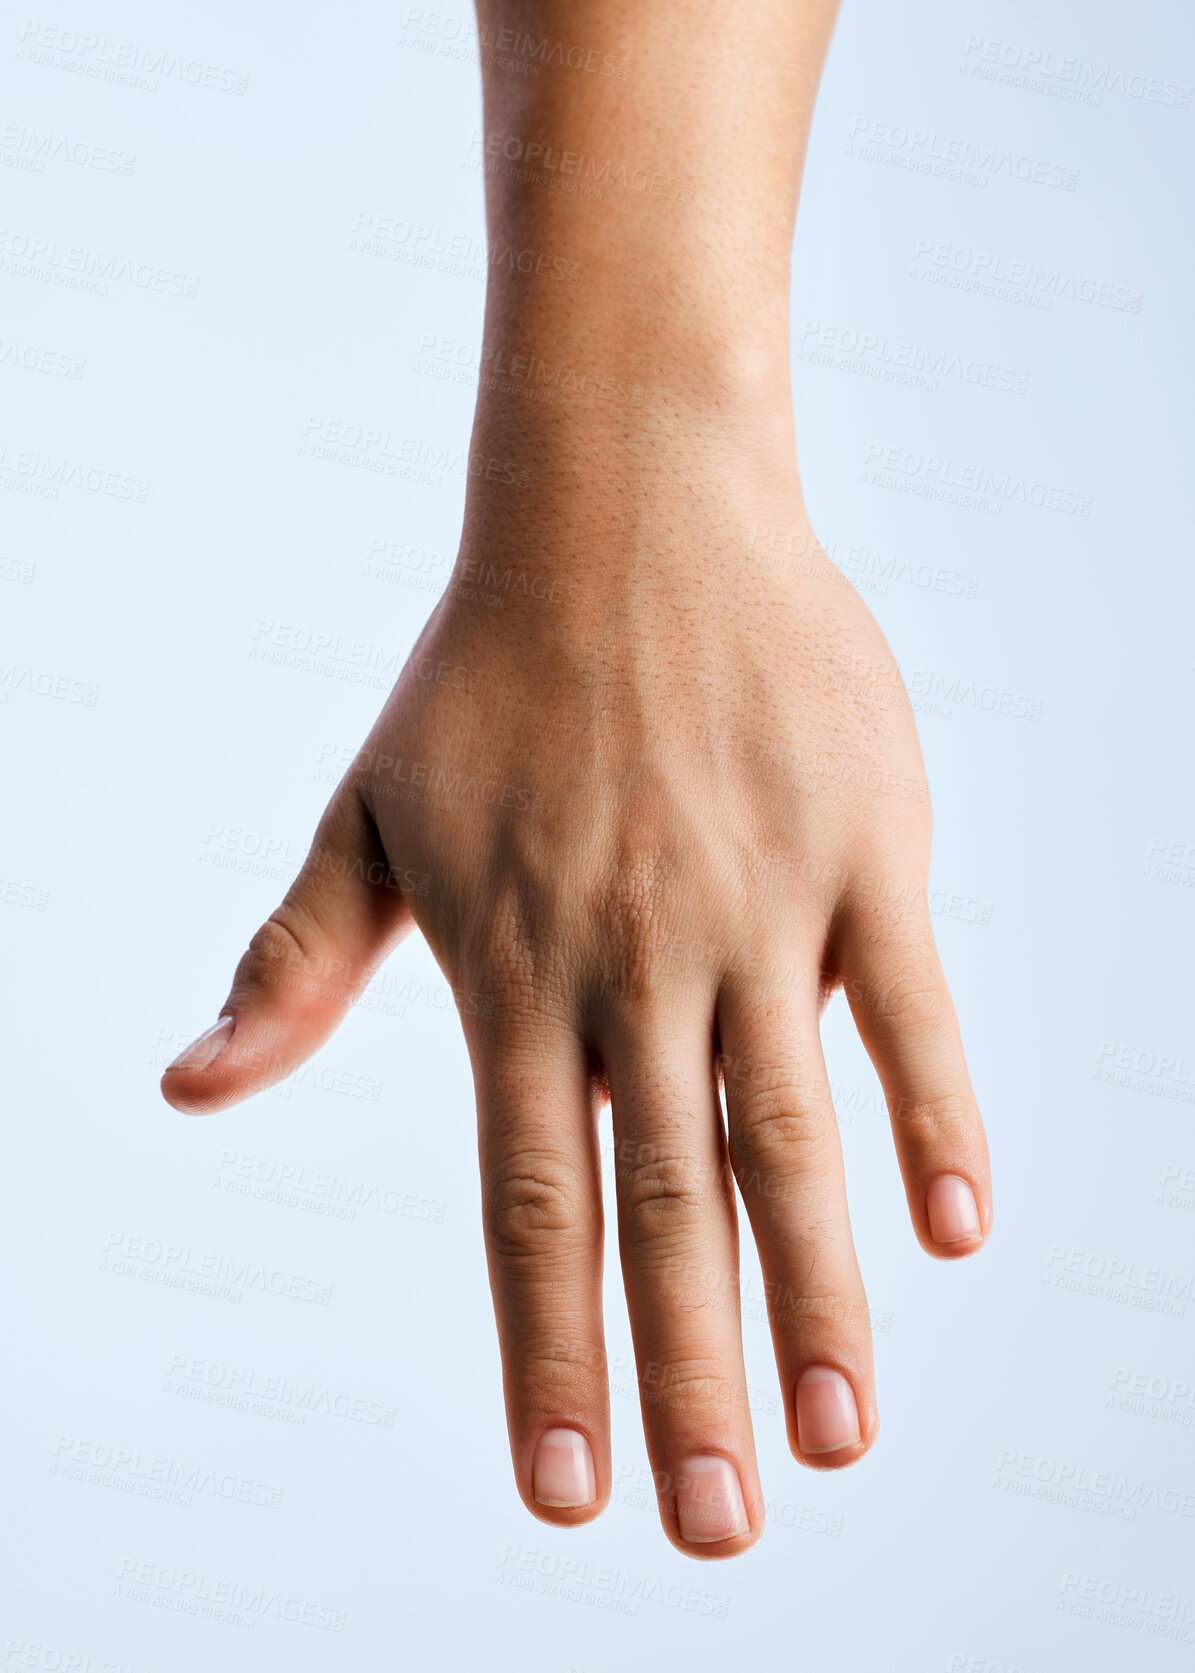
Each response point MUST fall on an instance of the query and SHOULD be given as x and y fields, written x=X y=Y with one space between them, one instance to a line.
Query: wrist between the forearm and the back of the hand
x=618 y=506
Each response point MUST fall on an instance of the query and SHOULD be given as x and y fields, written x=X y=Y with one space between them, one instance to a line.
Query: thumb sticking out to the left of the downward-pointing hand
x=309 y=963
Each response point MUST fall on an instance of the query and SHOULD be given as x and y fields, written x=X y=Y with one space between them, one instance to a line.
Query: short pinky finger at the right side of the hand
x=903 y=1010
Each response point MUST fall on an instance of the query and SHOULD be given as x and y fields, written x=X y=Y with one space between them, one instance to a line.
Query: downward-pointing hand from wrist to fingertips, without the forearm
x=652 y=790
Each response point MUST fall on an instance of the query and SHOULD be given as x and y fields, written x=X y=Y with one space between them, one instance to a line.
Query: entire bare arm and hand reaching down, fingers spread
x=650 y=789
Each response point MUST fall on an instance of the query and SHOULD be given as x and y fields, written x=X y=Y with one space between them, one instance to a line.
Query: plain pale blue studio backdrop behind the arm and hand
x=254 y=1413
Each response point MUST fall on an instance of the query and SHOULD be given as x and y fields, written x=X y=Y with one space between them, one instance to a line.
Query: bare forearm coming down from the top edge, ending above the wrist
x=667 y=195
